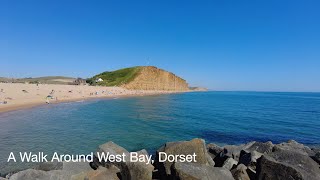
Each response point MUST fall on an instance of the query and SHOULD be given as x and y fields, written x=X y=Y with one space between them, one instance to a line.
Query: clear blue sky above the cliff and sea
x=265 y=45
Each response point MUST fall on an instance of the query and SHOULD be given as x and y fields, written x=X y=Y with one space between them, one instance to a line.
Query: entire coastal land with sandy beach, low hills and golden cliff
x=16 y=93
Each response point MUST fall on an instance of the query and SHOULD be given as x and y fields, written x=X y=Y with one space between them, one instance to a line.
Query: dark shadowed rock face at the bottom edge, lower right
x=270 y=169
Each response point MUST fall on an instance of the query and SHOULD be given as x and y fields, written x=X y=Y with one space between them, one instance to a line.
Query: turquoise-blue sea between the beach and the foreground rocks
x=148 y=122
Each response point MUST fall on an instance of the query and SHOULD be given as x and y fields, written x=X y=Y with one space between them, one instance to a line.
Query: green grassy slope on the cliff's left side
x=115 y=78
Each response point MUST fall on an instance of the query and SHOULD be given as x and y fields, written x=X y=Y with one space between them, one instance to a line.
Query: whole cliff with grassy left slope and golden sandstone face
x=141 y=78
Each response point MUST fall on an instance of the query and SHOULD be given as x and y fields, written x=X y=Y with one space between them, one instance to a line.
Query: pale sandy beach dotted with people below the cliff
x=15 y=96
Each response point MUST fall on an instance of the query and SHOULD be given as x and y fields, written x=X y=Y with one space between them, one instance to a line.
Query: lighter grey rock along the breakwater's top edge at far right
x=293 y=145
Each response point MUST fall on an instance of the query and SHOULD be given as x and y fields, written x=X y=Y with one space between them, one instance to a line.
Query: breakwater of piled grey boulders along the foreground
x=254 y=160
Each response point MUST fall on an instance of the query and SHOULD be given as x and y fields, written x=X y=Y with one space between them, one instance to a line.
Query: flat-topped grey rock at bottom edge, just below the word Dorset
x=195 y=171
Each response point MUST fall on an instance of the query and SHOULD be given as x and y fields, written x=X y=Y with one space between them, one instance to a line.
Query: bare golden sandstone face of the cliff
x=152 y=78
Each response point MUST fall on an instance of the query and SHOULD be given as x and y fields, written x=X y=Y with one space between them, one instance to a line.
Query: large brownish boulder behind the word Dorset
x=196 y=146
